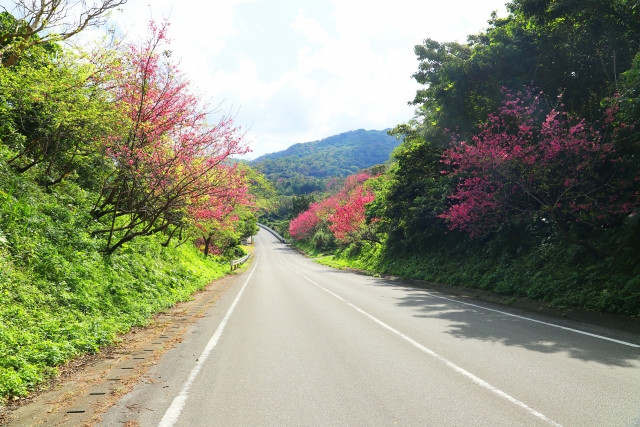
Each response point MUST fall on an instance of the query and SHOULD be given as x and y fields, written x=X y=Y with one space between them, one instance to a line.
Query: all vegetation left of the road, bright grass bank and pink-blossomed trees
x=118 y=195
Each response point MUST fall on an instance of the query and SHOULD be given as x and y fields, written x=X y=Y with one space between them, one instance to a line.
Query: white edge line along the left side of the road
x=173 y=413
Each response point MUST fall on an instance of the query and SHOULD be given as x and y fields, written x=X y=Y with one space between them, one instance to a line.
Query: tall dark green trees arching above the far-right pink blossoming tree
x=577 y=48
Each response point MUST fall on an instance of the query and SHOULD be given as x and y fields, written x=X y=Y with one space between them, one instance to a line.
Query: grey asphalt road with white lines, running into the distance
x=295 y=343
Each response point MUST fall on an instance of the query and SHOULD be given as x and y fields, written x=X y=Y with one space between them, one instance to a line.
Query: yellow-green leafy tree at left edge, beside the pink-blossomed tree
x=55 y=113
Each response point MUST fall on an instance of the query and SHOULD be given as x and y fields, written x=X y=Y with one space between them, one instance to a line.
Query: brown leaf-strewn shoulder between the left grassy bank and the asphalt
x=89 y=385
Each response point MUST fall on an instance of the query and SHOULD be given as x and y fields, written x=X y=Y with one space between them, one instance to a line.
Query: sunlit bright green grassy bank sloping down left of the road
x=59 y=296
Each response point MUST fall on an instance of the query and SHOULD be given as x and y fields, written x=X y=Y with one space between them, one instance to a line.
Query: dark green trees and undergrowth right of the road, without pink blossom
x=582 y=55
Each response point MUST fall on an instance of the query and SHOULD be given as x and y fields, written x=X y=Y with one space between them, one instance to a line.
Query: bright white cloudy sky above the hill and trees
x=295 y=71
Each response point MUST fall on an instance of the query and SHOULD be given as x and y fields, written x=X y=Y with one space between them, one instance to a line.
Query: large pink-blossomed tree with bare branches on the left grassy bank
x=167 y=156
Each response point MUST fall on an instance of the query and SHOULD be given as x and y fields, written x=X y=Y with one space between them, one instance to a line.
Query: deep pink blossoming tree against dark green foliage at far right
x=558 y=169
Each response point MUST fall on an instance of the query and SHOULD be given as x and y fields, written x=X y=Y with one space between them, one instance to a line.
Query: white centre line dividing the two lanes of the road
x=450 y=364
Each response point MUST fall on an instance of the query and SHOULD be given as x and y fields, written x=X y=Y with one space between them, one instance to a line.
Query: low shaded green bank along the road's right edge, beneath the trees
x=560 y=274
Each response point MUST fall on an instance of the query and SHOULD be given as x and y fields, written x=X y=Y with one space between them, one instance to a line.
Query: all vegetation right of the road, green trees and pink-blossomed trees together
x=519 y=173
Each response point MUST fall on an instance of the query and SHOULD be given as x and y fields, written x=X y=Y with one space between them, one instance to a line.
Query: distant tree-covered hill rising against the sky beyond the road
x=335 y=156
